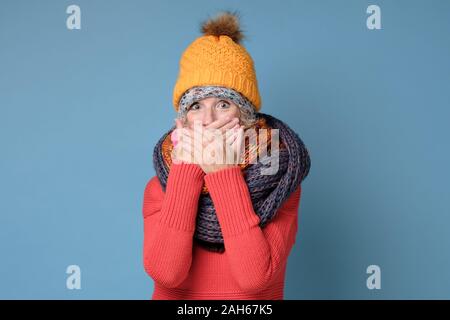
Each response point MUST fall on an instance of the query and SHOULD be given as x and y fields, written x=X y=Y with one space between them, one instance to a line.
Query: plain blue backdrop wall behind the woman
x=81 y=111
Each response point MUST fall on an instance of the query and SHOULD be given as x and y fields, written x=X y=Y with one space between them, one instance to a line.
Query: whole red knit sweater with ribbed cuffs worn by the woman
x=254 y=262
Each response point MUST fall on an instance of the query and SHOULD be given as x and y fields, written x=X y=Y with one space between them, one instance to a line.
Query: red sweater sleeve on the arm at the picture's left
x=169 y=223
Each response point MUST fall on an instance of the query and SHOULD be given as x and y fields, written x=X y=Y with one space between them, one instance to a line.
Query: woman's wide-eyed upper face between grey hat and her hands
x=210 y=109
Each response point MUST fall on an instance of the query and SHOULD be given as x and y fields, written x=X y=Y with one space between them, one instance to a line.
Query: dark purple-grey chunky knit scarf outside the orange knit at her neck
x=268 y=192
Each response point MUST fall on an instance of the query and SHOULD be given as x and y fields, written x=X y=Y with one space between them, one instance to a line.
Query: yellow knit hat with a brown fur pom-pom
x=218 y=58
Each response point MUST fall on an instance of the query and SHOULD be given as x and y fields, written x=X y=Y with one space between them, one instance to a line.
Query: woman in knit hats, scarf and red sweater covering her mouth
x=221 y=230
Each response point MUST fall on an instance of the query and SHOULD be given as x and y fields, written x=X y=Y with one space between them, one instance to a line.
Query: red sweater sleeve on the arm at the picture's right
x=255 y=254
